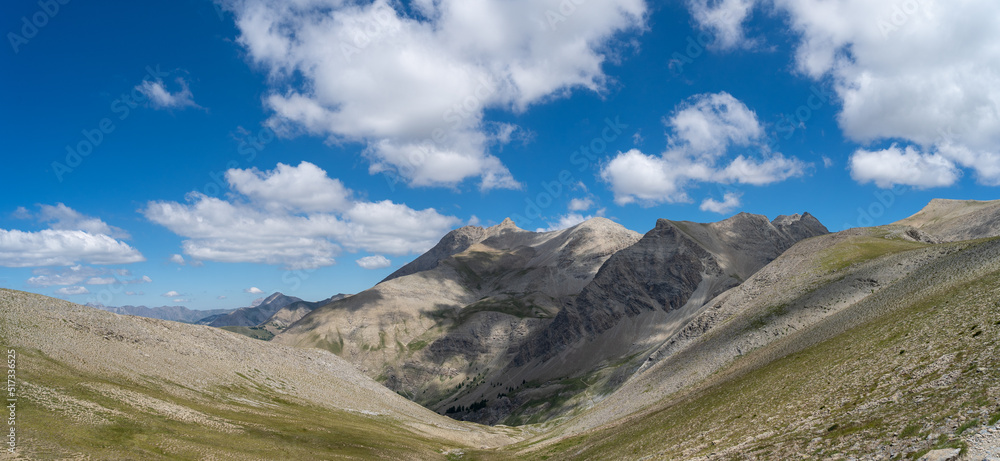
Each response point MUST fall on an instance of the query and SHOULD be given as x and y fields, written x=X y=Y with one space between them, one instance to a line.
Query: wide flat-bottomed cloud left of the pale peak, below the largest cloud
x=271 y=227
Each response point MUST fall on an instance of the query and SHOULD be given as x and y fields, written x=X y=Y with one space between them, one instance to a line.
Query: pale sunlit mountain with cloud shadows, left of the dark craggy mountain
x=435 y=333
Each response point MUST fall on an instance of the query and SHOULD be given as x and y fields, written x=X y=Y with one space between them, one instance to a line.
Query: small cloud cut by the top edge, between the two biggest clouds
x=724 y=19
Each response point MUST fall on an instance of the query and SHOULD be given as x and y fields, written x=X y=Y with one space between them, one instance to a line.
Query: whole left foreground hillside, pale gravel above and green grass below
x=96 y=385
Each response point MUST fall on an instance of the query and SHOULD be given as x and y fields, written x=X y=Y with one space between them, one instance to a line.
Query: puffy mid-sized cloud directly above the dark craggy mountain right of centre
x=705 y=129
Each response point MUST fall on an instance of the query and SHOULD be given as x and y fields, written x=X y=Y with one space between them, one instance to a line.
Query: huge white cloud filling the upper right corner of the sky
x=923 y=73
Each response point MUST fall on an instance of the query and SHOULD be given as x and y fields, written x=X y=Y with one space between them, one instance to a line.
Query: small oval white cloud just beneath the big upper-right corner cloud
x=892 y=166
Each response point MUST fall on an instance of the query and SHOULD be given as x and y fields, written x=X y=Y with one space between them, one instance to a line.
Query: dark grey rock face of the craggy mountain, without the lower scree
x=660 y=274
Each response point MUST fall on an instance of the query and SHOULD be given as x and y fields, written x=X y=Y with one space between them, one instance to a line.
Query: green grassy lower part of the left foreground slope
x=279 y=429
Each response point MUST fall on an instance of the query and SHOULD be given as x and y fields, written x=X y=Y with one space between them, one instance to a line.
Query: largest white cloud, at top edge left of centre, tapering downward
x=413 y=88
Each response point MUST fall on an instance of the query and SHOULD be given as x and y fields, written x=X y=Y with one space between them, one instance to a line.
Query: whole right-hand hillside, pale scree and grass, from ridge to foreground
x=866 y=344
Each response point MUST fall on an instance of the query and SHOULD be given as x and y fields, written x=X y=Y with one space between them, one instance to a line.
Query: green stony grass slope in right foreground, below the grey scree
x=920 y=368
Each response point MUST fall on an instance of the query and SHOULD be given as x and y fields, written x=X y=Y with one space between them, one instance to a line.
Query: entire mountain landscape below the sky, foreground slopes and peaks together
x=745 y=338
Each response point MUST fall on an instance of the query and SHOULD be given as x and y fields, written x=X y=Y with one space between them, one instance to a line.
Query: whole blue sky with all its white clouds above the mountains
x=205 y=154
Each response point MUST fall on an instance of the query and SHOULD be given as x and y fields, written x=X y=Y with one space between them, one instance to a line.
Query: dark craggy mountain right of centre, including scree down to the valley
x=641 y=297
